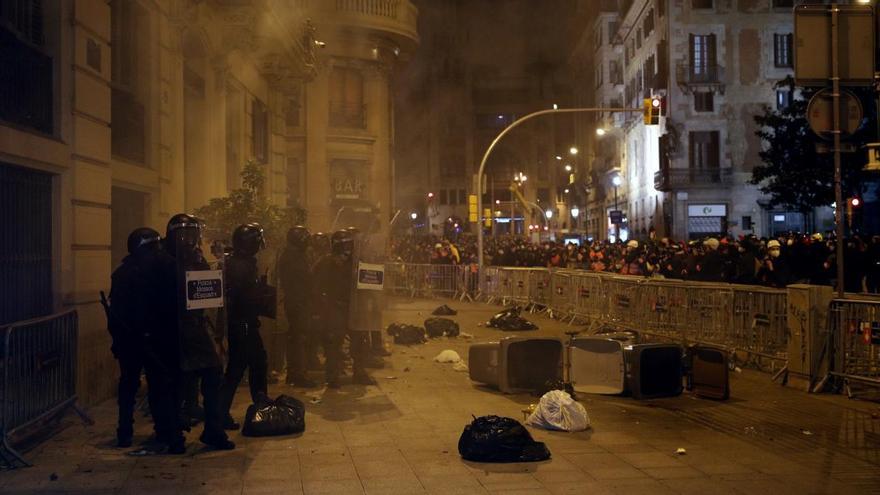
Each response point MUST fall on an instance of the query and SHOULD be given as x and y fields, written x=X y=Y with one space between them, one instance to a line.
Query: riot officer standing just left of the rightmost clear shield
x=333 y=287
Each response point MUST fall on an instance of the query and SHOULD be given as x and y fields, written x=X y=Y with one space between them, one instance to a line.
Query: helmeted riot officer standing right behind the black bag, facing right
x=246 y=350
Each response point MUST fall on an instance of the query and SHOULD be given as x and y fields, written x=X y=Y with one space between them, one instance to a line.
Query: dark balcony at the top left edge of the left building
x=26 y=86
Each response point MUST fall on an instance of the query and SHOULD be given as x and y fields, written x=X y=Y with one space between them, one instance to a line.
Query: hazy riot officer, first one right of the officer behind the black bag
x=295 y=277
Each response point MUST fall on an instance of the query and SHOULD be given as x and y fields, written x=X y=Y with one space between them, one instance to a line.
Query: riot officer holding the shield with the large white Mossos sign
x=199 y=359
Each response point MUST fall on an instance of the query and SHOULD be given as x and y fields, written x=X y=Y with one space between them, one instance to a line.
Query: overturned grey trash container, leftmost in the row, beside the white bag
x=517 y=364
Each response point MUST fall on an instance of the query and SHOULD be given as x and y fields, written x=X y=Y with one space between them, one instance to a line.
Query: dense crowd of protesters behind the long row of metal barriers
x=775 y=262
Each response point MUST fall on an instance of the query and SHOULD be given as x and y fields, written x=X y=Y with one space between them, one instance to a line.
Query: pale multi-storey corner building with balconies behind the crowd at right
x=715 y=64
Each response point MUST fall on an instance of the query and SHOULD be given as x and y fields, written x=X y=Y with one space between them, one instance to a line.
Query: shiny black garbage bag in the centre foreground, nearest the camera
x=499 y=439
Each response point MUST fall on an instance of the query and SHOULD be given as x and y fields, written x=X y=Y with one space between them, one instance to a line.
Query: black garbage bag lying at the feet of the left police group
x=269 y=418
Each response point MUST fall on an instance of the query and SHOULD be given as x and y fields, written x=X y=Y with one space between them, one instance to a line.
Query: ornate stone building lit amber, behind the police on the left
x=121 y=113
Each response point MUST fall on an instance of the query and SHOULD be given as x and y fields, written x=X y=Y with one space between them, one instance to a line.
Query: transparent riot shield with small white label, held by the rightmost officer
x=368 y=295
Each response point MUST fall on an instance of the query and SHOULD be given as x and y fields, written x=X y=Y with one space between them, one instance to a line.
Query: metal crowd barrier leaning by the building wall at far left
x=38 y=364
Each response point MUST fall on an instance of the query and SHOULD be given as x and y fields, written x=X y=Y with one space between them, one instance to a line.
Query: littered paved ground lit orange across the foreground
x=401 y=437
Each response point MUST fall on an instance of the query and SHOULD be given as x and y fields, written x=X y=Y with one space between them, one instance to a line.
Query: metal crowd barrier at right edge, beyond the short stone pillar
x=855 y=325
